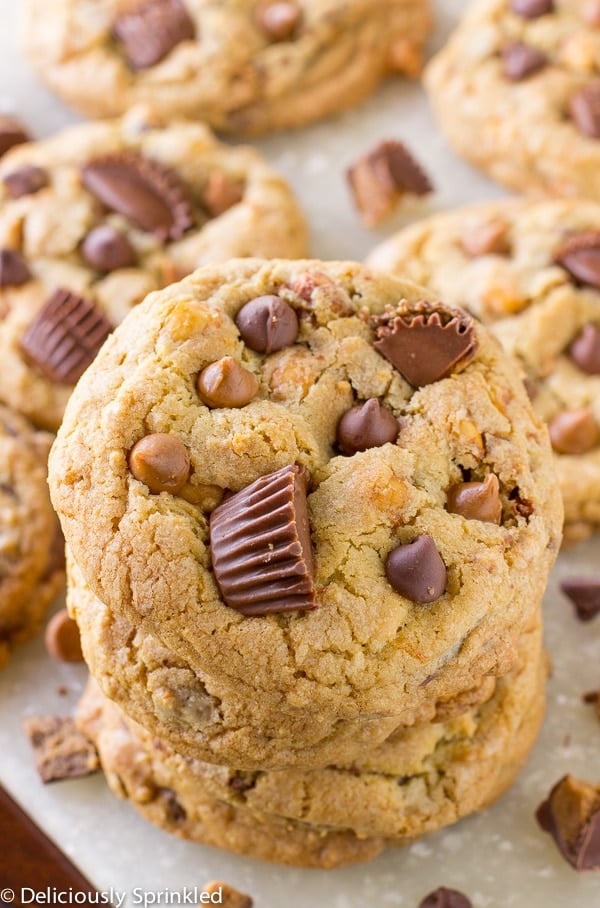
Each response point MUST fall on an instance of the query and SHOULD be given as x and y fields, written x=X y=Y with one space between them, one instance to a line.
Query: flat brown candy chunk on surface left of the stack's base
x=61 y=751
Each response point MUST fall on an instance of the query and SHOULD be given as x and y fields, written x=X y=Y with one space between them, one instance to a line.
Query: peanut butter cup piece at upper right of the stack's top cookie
x=425 y=342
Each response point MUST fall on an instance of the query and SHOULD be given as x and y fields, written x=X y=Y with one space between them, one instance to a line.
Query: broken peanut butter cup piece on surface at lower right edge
x=571 y=814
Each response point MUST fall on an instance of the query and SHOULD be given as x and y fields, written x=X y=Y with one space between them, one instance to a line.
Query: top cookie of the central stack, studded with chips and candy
x=316 y=579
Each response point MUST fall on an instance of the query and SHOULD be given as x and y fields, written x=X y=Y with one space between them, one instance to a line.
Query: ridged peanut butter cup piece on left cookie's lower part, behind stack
x=65 y=337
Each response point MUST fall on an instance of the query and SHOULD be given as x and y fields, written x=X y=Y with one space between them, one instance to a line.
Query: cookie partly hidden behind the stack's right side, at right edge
x=531 y=272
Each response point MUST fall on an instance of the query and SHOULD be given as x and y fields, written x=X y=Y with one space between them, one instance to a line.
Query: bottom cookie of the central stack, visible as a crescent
x=417 y=782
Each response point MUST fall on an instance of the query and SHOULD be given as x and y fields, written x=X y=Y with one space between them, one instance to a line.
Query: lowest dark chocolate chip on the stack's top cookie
x=416 y=570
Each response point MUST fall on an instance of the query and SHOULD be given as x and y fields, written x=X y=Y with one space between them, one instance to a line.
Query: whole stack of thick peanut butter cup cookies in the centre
x=311 y=515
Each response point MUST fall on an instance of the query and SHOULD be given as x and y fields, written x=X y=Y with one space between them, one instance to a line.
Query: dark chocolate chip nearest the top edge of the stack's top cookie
x=267 y=324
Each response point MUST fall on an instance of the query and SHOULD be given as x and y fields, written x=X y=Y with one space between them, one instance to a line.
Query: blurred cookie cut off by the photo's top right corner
x=516 y=91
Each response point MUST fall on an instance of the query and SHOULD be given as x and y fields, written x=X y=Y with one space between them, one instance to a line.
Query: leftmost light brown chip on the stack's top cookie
x=161 y=461
